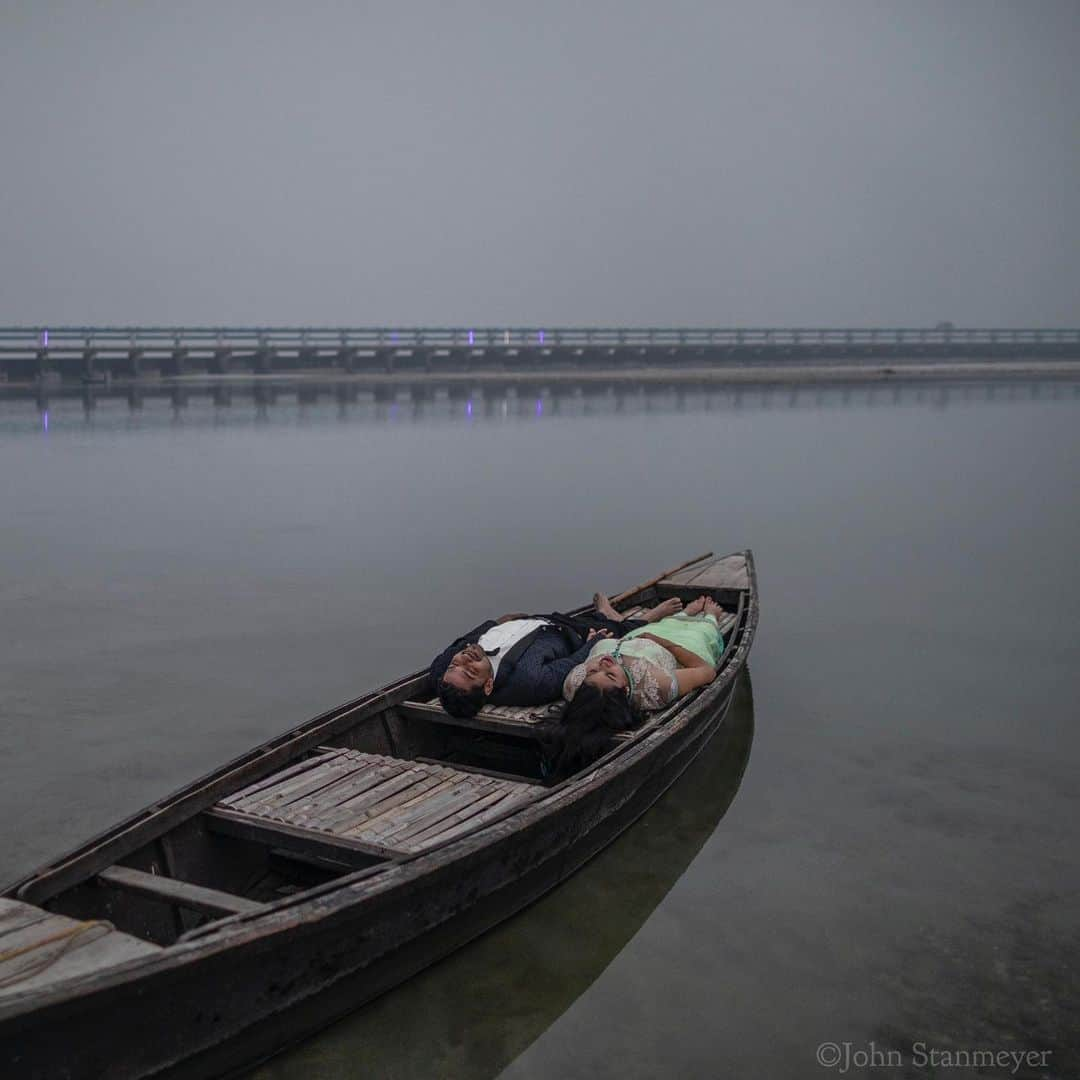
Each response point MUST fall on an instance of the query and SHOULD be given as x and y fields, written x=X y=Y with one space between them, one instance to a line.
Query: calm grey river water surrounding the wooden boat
x=896 y=874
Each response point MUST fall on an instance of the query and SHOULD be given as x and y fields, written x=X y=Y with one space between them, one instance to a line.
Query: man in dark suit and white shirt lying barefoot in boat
x=523 y=660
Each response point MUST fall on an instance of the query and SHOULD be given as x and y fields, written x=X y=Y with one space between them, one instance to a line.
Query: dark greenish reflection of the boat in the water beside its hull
x=472 y=1015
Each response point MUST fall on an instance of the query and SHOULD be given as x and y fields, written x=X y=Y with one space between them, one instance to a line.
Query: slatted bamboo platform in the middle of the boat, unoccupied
x=346 y=803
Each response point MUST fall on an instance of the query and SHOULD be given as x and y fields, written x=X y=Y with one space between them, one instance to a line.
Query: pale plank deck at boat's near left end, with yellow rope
x=38 y=948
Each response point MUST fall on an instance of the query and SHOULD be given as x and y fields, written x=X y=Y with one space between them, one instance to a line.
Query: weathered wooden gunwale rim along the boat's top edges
x=370 y=883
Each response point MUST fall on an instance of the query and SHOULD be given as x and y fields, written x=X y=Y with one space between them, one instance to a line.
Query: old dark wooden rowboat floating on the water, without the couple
x=258 y=904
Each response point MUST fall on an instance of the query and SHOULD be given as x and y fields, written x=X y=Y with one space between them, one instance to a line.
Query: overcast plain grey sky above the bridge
x=843 y=163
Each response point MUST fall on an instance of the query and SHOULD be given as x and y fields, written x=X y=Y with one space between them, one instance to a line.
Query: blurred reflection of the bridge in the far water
x=218 y=404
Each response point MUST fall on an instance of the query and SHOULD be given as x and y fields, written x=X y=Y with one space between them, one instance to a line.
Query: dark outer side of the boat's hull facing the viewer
x=231 y=1006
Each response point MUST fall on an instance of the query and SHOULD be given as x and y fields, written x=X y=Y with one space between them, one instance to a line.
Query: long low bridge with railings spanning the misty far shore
x=94 y=354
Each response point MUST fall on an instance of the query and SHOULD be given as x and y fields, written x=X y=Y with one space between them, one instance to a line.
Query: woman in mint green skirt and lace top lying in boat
x=646 y=670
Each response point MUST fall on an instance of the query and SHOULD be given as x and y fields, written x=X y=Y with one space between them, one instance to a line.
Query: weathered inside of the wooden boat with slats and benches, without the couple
x=388 y=779
